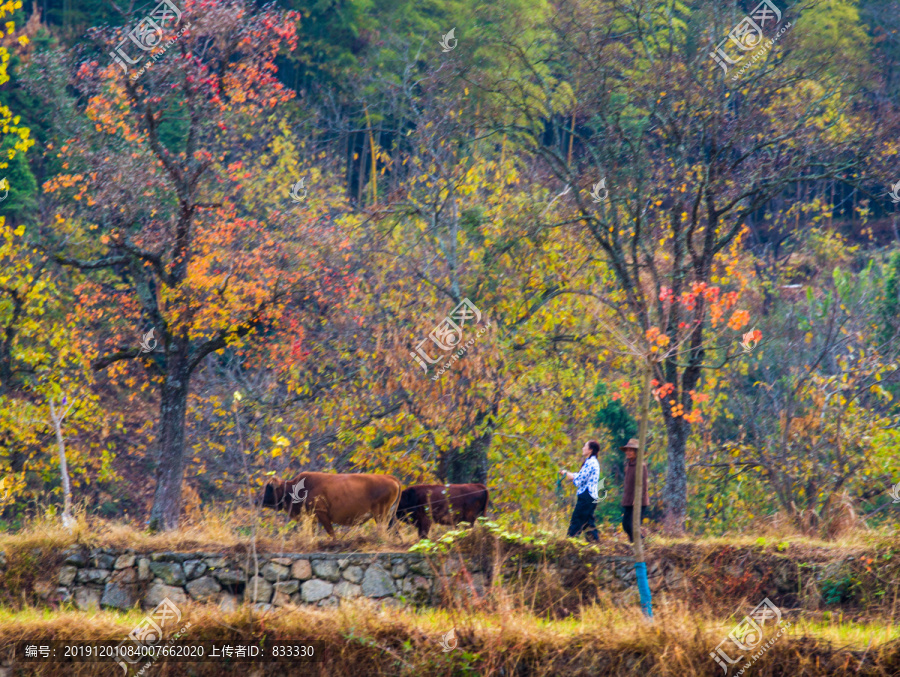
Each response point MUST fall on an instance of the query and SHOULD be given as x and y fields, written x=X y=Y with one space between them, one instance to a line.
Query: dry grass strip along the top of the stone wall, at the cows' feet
x=244 y=528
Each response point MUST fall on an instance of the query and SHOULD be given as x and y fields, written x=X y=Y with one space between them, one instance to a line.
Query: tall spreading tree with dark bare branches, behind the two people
x=668 y=159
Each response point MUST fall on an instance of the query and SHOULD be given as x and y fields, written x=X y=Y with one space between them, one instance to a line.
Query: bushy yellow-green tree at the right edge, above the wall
x=824 y=378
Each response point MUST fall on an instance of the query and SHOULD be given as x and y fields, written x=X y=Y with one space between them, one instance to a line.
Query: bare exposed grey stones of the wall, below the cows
x=104 y=578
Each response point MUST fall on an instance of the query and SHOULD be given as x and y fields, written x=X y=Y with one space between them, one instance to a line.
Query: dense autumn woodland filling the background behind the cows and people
x=613 y=203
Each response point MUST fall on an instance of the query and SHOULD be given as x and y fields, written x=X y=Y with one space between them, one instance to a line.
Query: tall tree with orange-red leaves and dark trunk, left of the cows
x=150 y=210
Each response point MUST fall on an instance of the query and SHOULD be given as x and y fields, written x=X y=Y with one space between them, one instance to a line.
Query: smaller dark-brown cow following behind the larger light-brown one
x=423 y=504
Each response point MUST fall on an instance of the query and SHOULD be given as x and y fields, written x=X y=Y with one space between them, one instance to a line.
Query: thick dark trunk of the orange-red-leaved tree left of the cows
x=170 y=461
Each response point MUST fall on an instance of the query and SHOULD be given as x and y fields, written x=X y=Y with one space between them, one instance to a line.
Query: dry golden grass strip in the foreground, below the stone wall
x=363 y=639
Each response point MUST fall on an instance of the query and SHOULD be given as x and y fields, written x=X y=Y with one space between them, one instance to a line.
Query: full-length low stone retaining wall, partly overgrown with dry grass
x=118 y=578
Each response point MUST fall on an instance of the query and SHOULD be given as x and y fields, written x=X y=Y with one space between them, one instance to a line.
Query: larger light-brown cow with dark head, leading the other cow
x=336 y=499
